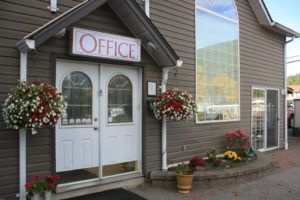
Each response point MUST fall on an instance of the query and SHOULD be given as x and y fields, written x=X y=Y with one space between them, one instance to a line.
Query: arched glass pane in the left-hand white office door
x=77 y=88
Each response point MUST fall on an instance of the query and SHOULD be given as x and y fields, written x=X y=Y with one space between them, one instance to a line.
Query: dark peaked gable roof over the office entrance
x=128 y=11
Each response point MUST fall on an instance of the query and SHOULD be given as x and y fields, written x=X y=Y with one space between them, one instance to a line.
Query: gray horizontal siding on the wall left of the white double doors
x=18 y=18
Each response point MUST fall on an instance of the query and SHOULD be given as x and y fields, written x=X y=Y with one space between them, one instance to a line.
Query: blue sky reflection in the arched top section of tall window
x=223 y=7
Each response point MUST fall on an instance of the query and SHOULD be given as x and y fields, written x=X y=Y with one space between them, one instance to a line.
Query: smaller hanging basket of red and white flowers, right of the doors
x=175 y=105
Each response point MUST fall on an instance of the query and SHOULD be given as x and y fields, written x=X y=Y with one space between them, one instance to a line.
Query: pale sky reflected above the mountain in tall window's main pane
x=213 y=30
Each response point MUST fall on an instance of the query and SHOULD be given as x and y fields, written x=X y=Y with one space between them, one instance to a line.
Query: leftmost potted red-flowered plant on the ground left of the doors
x=35 y=187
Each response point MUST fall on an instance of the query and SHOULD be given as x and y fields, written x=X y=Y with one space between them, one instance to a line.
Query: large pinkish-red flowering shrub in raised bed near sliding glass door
x=238 y=142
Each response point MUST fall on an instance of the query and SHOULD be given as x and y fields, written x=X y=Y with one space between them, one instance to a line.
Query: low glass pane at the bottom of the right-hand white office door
x=119 y=168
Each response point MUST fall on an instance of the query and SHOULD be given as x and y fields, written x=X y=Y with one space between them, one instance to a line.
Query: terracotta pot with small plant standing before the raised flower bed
x=184 y=178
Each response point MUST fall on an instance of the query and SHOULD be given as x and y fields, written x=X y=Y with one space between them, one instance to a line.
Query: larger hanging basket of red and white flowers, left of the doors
x=33 y=106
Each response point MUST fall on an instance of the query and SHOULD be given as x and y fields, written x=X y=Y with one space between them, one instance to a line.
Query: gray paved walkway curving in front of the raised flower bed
x=282 y=184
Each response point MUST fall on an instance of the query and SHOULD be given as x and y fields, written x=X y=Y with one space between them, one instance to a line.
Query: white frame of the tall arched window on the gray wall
x=239 y=66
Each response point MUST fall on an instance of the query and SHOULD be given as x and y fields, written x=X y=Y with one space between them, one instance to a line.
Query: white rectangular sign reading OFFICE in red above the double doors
x=104 y=45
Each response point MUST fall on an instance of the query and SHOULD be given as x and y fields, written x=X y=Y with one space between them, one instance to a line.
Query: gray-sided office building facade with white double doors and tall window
x=109 y=59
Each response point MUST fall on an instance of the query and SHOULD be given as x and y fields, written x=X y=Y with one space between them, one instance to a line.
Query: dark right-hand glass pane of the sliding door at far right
x=272 y=118
